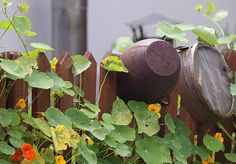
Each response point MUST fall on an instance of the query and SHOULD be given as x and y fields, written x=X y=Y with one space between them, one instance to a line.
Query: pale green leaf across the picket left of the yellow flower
x=39 y=80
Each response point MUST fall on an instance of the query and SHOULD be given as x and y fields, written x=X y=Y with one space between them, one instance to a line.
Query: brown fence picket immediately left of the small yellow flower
x=40 y=97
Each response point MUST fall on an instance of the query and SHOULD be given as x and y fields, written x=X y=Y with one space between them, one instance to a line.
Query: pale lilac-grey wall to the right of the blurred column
x=107 y=18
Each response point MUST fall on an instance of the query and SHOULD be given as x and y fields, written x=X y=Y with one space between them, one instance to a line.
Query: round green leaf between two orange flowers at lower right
x=212 y=143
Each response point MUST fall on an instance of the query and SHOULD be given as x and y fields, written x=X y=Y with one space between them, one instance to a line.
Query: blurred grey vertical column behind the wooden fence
x=69 y=26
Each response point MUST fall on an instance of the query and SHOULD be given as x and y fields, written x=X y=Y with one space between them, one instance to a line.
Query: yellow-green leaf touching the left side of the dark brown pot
x=113 y=63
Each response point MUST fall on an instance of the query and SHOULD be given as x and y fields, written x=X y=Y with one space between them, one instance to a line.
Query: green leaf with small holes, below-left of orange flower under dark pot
x=147 y=122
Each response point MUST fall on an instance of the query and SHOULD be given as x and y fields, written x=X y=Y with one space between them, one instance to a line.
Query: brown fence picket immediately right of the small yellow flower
x=63 y=69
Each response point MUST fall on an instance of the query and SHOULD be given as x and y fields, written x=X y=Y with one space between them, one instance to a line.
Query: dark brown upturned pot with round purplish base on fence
x=154 y=67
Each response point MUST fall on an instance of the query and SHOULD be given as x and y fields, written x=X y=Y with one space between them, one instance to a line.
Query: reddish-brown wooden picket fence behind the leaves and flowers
x=41 y=98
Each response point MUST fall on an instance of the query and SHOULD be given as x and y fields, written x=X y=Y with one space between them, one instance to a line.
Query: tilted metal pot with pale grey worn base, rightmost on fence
x=205 y=83
